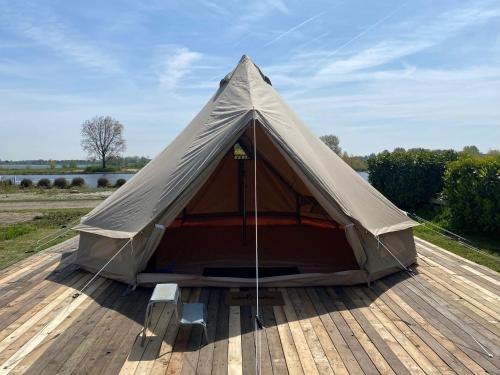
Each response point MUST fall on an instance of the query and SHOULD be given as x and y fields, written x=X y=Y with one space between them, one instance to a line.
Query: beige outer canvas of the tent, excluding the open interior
x=160 y=191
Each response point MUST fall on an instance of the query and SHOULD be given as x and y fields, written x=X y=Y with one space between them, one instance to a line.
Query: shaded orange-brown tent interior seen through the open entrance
x=215 y=233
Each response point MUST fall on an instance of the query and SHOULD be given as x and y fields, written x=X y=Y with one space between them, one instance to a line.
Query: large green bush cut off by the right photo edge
x=472 y=192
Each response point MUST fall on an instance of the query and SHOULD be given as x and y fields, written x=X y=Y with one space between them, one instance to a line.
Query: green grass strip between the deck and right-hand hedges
x=487 y=243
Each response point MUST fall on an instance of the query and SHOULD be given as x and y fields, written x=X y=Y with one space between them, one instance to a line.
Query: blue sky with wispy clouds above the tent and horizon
x=377 y=74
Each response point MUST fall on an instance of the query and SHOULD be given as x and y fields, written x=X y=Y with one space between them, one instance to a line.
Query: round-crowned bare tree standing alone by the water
x=102 y=137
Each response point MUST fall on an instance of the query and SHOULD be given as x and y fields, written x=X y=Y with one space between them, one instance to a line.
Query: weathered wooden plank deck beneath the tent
x=398 y=326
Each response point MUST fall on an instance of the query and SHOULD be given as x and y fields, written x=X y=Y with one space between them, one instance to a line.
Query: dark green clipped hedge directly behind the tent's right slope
x=409 y=178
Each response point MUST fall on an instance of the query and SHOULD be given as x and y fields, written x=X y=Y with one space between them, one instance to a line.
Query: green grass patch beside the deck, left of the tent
x=18 y=241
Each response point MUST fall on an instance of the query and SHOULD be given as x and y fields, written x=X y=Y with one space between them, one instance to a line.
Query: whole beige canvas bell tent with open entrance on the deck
x=188 y=215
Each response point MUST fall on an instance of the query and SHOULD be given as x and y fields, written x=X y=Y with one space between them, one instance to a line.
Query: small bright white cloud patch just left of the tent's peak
x=177 y=64
